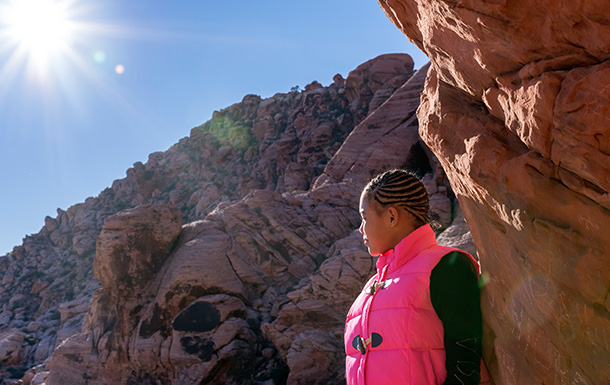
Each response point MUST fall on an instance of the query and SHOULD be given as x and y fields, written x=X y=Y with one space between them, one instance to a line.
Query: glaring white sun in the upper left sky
x=39 y=28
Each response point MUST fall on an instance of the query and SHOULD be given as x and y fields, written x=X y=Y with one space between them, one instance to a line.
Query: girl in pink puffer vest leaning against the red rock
x=418 y=320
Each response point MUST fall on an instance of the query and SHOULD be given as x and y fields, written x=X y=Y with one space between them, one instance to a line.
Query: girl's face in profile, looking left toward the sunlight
x=375 y=227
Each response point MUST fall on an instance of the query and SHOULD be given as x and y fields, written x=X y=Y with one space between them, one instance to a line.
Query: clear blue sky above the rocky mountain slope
x=71 y=122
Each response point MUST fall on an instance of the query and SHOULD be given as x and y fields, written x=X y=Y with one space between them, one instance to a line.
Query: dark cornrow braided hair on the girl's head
x=401 y=188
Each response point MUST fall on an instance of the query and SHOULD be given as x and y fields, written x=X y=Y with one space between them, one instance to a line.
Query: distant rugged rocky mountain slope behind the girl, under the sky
x=230 y=258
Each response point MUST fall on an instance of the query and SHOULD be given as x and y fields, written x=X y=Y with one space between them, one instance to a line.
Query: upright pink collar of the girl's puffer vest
x=420 y=239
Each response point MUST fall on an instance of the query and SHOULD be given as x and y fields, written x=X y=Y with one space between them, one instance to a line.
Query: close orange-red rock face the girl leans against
x=515 y=107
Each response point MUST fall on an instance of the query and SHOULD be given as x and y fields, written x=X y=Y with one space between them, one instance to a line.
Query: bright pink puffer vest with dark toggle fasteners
x=393 y=334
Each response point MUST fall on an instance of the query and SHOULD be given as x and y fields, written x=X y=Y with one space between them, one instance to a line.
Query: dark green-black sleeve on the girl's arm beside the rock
x=454 y=291
